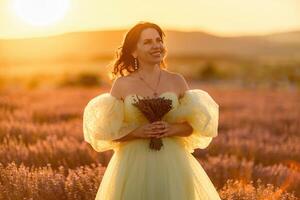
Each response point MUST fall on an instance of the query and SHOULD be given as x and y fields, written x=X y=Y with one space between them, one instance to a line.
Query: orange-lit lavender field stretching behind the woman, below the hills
x=43 y=156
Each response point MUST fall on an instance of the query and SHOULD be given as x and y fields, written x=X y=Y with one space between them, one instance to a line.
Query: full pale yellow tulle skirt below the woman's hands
x=135 y=172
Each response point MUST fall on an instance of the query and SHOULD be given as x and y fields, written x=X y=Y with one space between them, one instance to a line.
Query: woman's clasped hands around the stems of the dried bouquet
x=149 y=130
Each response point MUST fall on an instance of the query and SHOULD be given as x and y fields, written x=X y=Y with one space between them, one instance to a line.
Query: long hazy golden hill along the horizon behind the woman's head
x=98 y=44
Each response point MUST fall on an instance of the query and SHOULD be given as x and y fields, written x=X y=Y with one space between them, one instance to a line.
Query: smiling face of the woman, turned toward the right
x=150 y=47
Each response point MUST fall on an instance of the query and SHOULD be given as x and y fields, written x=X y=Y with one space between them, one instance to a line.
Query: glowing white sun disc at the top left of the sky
x=41 y=12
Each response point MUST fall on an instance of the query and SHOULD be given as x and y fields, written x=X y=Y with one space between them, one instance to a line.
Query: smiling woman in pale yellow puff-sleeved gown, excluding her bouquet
x=111 y=121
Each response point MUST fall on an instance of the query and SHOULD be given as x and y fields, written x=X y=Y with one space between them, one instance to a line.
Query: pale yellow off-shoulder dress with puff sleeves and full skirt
x=136 y=172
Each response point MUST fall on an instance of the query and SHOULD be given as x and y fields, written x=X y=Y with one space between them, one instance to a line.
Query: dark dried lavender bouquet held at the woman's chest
x=153 y=109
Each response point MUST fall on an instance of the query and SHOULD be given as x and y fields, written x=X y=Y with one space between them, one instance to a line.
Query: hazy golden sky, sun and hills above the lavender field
x=56 y=42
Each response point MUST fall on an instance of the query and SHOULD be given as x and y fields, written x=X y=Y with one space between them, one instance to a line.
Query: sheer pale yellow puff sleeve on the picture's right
x=200 y=110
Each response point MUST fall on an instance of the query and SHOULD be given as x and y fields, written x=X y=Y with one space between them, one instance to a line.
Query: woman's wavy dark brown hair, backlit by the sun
x=125 y=60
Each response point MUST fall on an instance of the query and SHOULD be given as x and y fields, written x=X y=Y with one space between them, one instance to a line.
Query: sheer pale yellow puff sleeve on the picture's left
x=103 y=122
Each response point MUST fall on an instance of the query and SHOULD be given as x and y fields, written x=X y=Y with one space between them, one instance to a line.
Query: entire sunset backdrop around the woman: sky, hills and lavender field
x=56 y=55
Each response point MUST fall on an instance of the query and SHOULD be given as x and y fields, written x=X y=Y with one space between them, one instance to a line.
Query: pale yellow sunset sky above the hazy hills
x=218 y=17
